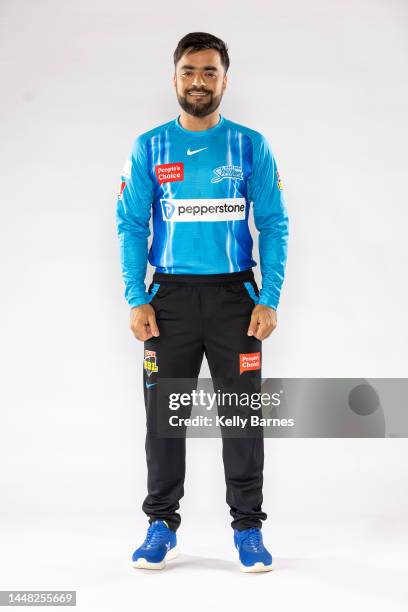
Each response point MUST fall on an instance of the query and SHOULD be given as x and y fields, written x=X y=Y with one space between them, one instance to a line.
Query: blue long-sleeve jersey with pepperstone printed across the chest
x=198 y=186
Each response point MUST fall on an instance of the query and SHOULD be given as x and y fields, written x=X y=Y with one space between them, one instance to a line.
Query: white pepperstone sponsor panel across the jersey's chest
x=203 y=209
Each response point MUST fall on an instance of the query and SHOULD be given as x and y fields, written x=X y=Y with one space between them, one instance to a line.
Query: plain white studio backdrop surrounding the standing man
x=326 y=83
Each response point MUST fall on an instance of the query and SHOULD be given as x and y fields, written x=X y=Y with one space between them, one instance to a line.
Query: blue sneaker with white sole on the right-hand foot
x=253 y=555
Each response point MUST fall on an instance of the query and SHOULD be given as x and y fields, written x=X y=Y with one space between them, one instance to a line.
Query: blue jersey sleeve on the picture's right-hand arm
x=271 y=220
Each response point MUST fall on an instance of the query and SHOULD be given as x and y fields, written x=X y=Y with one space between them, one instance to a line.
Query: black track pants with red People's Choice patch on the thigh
x=197 y=315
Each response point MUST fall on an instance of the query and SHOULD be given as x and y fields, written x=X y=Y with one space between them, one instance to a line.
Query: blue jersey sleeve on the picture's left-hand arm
x=132 y=218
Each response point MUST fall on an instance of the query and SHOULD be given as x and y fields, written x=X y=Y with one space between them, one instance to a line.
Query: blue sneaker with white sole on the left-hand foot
x=159 y=546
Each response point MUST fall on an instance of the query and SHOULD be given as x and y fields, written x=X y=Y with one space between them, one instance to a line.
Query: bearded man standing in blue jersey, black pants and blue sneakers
x=197 y=176
